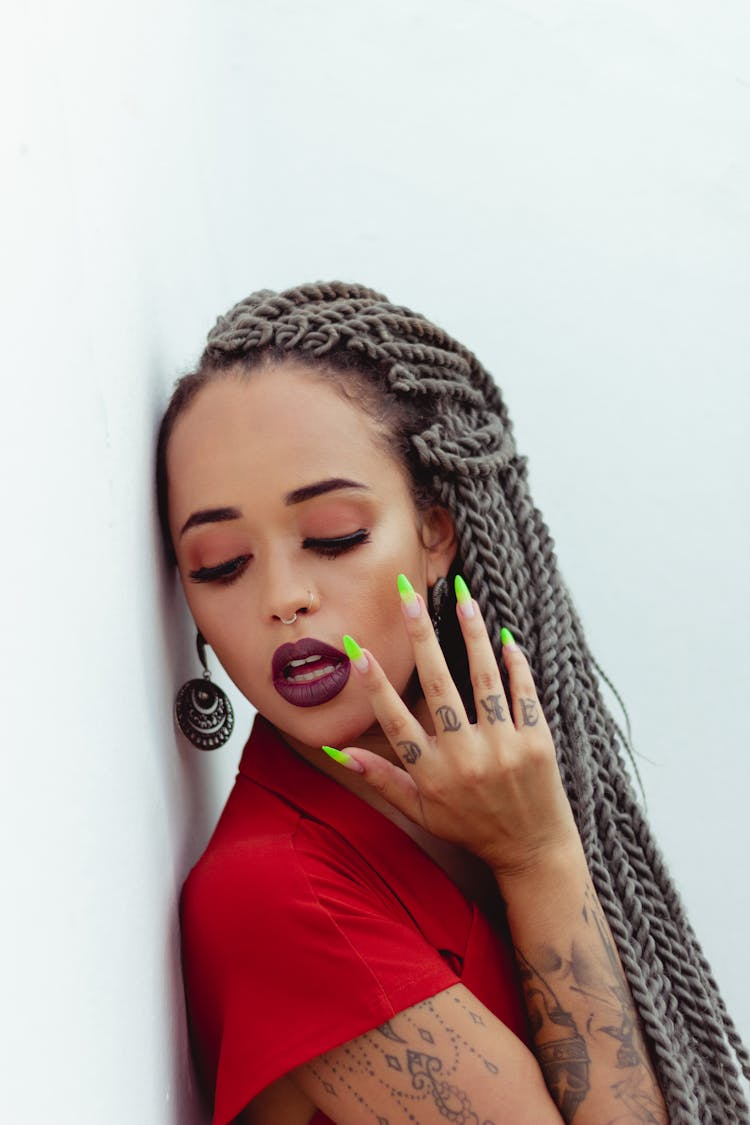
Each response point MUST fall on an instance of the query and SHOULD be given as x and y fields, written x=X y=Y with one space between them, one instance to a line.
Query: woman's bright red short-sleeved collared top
x=311 y=920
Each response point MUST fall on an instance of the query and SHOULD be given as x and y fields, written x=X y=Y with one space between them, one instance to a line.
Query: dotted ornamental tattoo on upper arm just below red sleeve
x=421 y=1065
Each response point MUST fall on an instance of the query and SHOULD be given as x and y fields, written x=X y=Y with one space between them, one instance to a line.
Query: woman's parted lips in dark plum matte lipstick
x=310 y=673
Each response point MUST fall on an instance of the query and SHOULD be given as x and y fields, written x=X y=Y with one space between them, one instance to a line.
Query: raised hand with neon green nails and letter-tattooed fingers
x=493 y=787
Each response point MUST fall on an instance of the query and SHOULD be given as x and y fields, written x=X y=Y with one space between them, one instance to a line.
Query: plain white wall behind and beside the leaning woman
x=565 y=186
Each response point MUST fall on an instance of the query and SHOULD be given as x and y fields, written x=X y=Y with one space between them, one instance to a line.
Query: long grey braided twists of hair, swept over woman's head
x=448 y=421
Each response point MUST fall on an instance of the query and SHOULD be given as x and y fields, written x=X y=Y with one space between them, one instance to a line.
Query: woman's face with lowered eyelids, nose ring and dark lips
x=282 y=490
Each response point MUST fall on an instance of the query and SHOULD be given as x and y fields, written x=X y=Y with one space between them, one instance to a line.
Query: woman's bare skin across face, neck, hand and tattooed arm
x=490 y=790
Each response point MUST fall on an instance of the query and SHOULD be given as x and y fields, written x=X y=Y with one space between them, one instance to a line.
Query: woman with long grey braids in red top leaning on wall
x=457 y=912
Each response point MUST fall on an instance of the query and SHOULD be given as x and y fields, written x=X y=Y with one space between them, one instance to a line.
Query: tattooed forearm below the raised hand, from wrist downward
x=585 y=1029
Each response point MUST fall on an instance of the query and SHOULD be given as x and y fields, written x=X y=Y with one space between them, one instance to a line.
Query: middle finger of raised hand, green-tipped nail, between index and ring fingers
x=440 y=692
